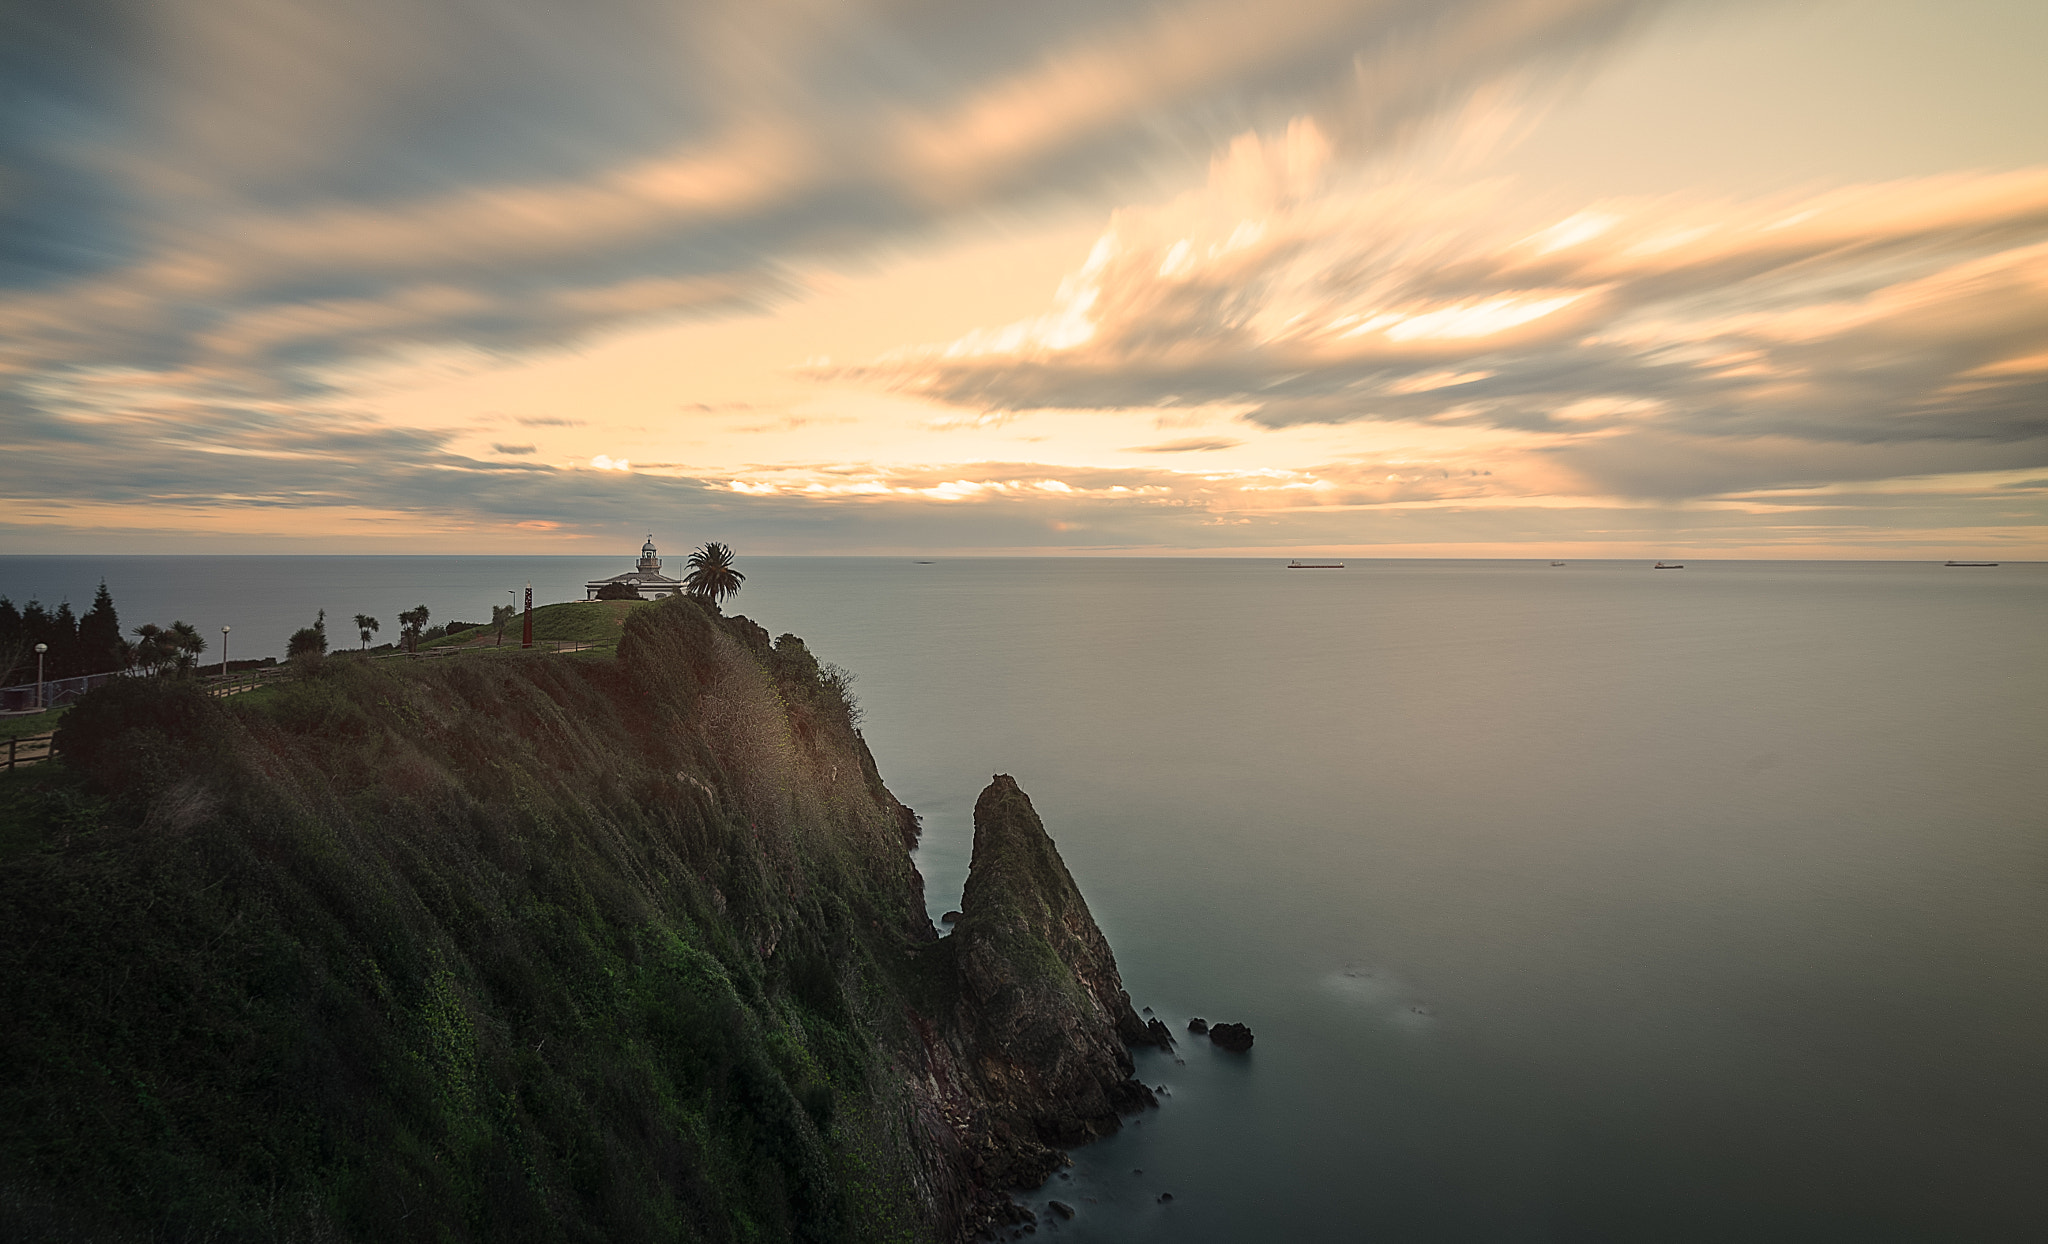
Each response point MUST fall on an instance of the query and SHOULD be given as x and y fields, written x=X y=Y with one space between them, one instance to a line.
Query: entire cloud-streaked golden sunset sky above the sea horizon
x=1215 y=278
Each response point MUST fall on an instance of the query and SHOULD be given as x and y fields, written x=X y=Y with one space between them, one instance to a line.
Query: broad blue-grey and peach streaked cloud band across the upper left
x=261 y=183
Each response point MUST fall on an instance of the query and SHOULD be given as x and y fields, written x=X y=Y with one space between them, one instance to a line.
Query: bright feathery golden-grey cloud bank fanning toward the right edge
x=1662 y=347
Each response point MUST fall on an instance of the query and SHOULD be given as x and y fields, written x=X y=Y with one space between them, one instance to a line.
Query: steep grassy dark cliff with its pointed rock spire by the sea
x=527 y=948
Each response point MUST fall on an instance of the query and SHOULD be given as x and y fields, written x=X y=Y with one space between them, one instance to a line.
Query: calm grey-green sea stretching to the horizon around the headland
x=1576 y=903
